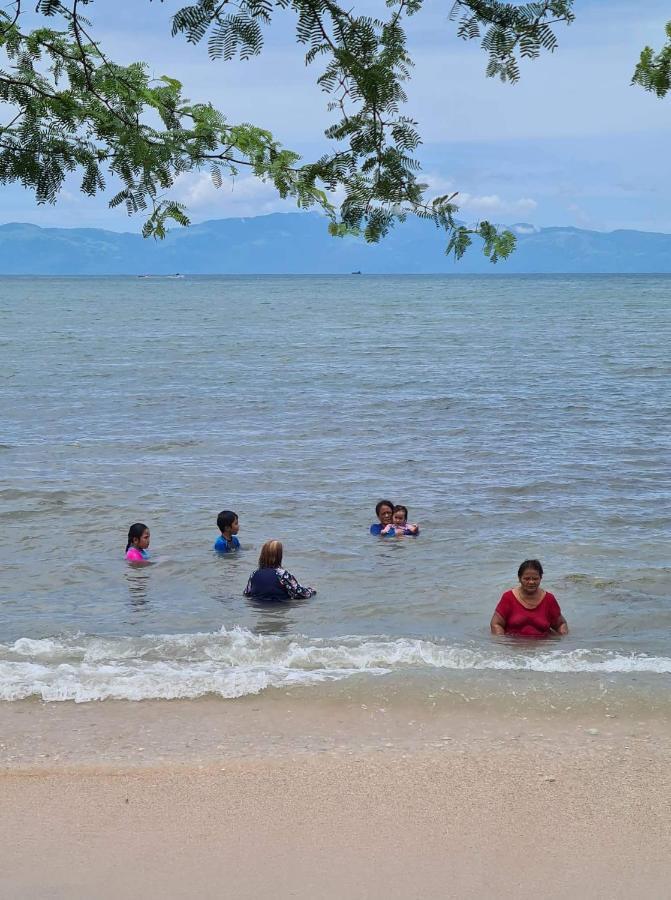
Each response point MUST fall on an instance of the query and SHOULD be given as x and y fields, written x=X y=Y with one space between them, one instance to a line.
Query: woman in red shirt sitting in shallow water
x=528 y=610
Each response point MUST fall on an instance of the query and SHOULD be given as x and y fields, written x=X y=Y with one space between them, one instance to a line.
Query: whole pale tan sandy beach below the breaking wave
x=255 y=800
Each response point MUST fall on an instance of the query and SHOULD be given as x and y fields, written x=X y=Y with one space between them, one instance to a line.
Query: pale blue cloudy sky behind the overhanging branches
x=573 y=143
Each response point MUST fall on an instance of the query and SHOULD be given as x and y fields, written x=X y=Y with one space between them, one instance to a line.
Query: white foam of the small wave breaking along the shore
x=236 y=662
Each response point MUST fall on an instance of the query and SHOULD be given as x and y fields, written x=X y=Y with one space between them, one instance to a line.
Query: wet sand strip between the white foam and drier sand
x=396 y=714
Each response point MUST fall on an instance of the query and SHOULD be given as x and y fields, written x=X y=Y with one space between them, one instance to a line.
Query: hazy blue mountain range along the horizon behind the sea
x=298 y=243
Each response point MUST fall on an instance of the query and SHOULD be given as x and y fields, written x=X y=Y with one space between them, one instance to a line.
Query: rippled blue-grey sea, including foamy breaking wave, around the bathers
x=515 y=416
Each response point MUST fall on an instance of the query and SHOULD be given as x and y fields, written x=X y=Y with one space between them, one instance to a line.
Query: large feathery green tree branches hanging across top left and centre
x=69 y=108
